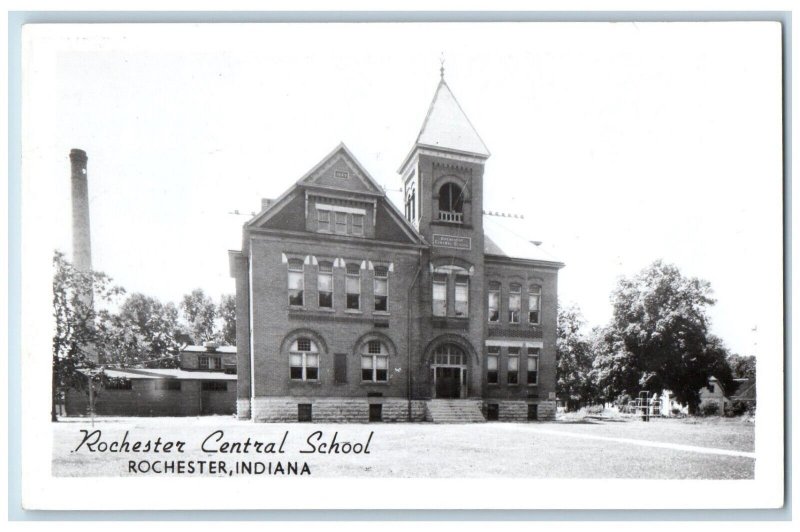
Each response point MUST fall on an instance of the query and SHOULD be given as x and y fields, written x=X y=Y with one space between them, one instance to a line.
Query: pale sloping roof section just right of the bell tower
x=504 y=237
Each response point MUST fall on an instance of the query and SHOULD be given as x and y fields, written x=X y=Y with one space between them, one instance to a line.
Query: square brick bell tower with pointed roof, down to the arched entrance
x=443 y=198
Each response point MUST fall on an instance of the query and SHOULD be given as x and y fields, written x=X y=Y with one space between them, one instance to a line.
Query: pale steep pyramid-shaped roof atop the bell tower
x=446 y=126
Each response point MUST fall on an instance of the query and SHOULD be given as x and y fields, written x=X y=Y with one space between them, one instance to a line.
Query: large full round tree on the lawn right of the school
x=660 y=329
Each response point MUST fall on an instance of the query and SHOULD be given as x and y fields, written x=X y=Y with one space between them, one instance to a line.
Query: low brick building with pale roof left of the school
x=203 y=384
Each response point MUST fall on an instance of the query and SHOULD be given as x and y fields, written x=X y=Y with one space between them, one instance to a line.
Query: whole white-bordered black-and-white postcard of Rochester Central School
x=501 y=265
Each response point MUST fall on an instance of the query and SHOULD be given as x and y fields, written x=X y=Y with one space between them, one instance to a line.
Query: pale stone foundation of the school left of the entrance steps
x=334 y=410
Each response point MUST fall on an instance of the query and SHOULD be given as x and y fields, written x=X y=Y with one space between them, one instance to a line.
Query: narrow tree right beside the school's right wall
x=574 y=377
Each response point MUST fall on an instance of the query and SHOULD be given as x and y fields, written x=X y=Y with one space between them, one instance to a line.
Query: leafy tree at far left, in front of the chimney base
x=79 y=342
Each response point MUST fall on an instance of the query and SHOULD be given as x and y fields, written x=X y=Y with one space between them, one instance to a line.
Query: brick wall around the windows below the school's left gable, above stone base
x=334 y=331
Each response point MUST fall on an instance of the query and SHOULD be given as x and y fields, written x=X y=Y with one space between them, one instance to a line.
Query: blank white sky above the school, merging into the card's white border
x=620 y=143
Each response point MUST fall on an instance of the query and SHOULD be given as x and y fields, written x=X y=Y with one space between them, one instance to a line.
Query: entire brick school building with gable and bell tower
x=349 y=310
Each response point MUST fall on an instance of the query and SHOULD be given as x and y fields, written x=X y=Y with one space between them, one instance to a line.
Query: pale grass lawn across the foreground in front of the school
x=535 y=450
